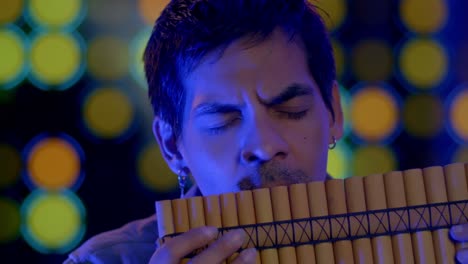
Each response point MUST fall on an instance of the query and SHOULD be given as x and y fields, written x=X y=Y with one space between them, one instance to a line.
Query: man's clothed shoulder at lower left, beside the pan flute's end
x=134 y=242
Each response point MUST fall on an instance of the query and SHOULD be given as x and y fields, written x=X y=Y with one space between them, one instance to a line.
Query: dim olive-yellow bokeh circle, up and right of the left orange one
x=108 y=113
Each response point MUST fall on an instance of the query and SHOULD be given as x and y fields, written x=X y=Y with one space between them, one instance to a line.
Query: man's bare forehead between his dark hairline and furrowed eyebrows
x=262 y=70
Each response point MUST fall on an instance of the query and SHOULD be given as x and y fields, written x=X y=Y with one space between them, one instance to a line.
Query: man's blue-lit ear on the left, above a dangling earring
x=167 y=141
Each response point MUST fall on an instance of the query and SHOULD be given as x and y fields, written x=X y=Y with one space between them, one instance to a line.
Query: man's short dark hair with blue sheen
x=187 y=30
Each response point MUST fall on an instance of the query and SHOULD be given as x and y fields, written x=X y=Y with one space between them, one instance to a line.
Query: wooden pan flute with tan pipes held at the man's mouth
x=395 y=217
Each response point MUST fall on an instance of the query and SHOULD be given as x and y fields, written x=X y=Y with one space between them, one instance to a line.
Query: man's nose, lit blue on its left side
x=263 y=142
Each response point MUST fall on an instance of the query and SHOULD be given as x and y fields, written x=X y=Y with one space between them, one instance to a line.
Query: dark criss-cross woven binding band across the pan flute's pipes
x=332 y=228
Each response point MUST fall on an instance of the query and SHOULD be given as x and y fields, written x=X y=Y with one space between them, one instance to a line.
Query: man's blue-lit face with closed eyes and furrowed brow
x=255 y=117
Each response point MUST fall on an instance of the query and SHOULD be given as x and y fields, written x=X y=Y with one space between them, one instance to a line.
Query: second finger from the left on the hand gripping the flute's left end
x=222 y=248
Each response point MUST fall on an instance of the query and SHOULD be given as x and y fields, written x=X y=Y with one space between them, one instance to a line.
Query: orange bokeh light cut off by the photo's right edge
x=458 y=114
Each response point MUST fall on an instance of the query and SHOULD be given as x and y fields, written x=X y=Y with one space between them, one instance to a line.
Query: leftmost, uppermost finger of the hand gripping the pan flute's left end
x=178 y=247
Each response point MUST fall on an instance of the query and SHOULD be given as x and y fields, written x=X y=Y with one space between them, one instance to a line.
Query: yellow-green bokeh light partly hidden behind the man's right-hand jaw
x=339 y=159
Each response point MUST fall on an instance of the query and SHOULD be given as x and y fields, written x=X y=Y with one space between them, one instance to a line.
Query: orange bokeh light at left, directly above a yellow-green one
x=54 y=163
